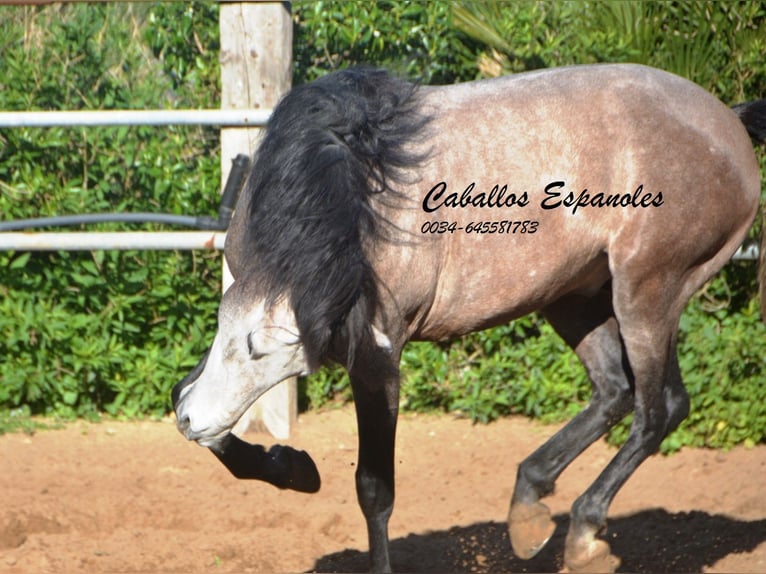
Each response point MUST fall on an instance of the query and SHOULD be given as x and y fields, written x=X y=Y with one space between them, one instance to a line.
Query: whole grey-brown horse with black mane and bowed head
x=378 y=212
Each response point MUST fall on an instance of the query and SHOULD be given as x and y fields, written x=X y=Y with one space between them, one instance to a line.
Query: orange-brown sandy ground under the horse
x=135 y=497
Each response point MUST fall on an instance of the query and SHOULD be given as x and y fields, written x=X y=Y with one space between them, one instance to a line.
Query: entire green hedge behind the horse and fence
x=111 y=332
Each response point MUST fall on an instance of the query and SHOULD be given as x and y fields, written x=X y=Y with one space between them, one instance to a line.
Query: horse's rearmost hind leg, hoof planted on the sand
x=648 y=329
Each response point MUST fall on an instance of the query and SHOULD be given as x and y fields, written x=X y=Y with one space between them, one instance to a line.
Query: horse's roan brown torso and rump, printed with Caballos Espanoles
x=554 y=182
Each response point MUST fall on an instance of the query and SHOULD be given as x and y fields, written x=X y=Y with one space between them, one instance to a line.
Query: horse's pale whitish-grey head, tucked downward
x=257 y=346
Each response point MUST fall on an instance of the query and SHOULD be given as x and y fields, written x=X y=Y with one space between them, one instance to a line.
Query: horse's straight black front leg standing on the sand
x=376 y=398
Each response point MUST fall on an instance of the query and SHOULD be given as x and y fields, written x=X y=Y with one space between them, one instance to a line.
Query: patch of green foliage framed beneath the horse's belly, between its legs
x=520 y=368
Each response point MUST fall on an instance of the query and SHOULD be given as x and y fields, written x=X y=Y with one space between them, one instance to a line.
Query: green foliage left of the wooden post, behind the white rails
x=111 y=332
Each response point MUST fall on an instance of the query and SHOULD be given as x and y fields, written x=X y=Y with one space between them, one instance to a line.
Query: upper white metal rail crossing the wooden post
x=234 y=118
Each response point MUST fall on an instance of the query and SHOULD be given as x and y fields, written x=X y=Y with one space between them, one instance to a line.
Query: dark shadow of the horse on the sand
x=648 y=541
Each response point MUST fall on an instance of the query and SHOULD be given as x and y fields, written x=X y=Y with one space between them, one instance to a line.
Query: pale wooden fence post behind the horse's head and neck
x=256 y=70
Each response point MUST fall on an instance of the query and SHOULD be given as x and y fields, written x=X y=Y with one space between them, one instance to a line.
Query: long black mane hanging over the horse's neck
x=329 y=147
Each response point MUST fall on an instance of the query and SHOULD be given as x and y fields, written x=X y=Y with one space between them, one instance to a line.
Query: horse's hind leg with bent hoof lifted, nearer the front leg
x=588 y=325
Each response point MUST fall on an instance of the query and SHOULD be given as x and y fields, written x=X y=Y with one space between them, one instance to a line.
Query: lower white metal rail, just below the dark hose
x=118 y=240
